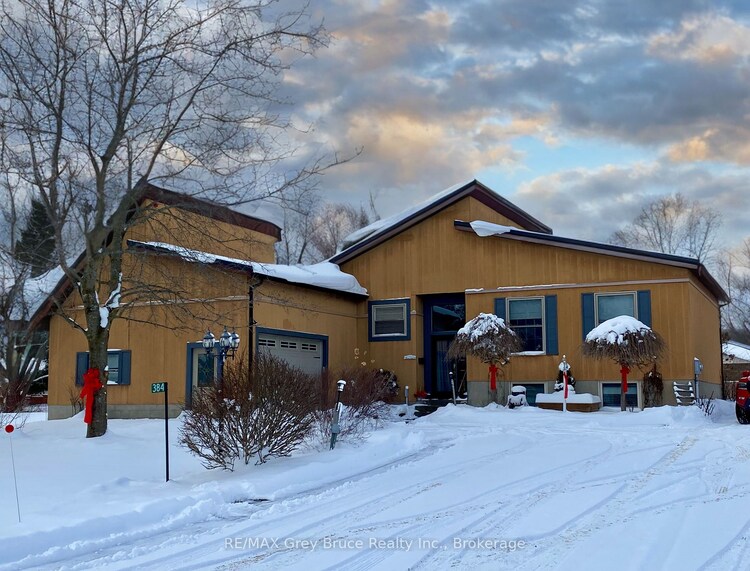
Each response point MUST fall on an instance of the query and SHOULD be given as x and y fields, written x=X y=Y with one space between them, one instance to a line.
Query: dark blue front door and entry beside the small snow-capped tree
x=444 y=316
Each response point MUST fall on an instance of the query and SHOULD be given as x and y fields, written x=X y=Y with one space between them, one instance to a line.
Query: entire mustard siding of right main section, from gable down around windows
x=433 y=257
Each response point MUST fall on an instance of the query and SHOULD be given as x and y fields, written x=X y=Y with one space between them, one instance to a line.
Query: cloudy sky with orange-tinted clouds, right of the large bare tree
x=577 y=111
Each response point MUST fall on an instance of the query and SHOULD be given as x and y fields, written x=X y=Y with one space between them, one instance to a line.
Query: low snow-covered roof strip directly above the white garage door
x=323 y=275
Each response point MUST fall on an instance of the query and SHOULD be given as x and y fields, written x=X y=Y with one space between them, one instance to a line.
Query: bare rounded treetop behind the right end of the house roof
x=673 y=225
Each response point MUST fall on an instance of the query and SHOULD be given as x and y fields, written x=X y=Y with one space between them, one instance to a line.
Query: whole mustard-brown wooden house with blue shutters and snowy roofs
x=423 y=274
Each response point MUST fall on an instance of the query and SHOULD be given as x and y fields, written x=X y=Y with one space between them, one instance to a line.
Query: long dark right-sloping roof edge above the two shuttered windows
x=485 y=229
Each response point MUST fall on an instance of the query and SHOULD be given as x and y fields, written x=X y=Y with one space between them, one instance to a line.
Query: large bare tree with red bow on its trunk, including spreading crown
x=97 y=97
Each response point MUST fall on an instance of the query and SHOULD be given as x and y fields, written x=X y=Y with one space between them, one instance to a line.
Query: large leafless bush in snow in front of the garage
x=266 y=414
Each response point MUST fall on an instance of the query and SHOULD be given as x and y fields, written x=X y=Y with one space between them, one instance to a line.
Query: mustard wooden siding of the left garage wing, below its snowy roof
x=158 y=334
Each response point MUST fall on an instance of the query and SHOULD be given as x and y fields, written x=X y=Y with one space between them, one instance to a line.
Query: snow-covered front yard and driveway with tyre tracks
x=464 y=488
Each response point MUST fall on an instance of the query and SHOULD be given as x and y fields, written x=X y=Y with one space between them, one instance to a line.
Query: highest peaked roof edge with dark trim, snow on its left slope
x=379 y=231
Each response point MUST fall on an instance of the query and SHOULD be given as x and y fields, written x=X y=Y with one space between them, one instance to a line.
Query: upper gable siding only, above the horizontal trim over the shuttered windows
x=434 y=257
